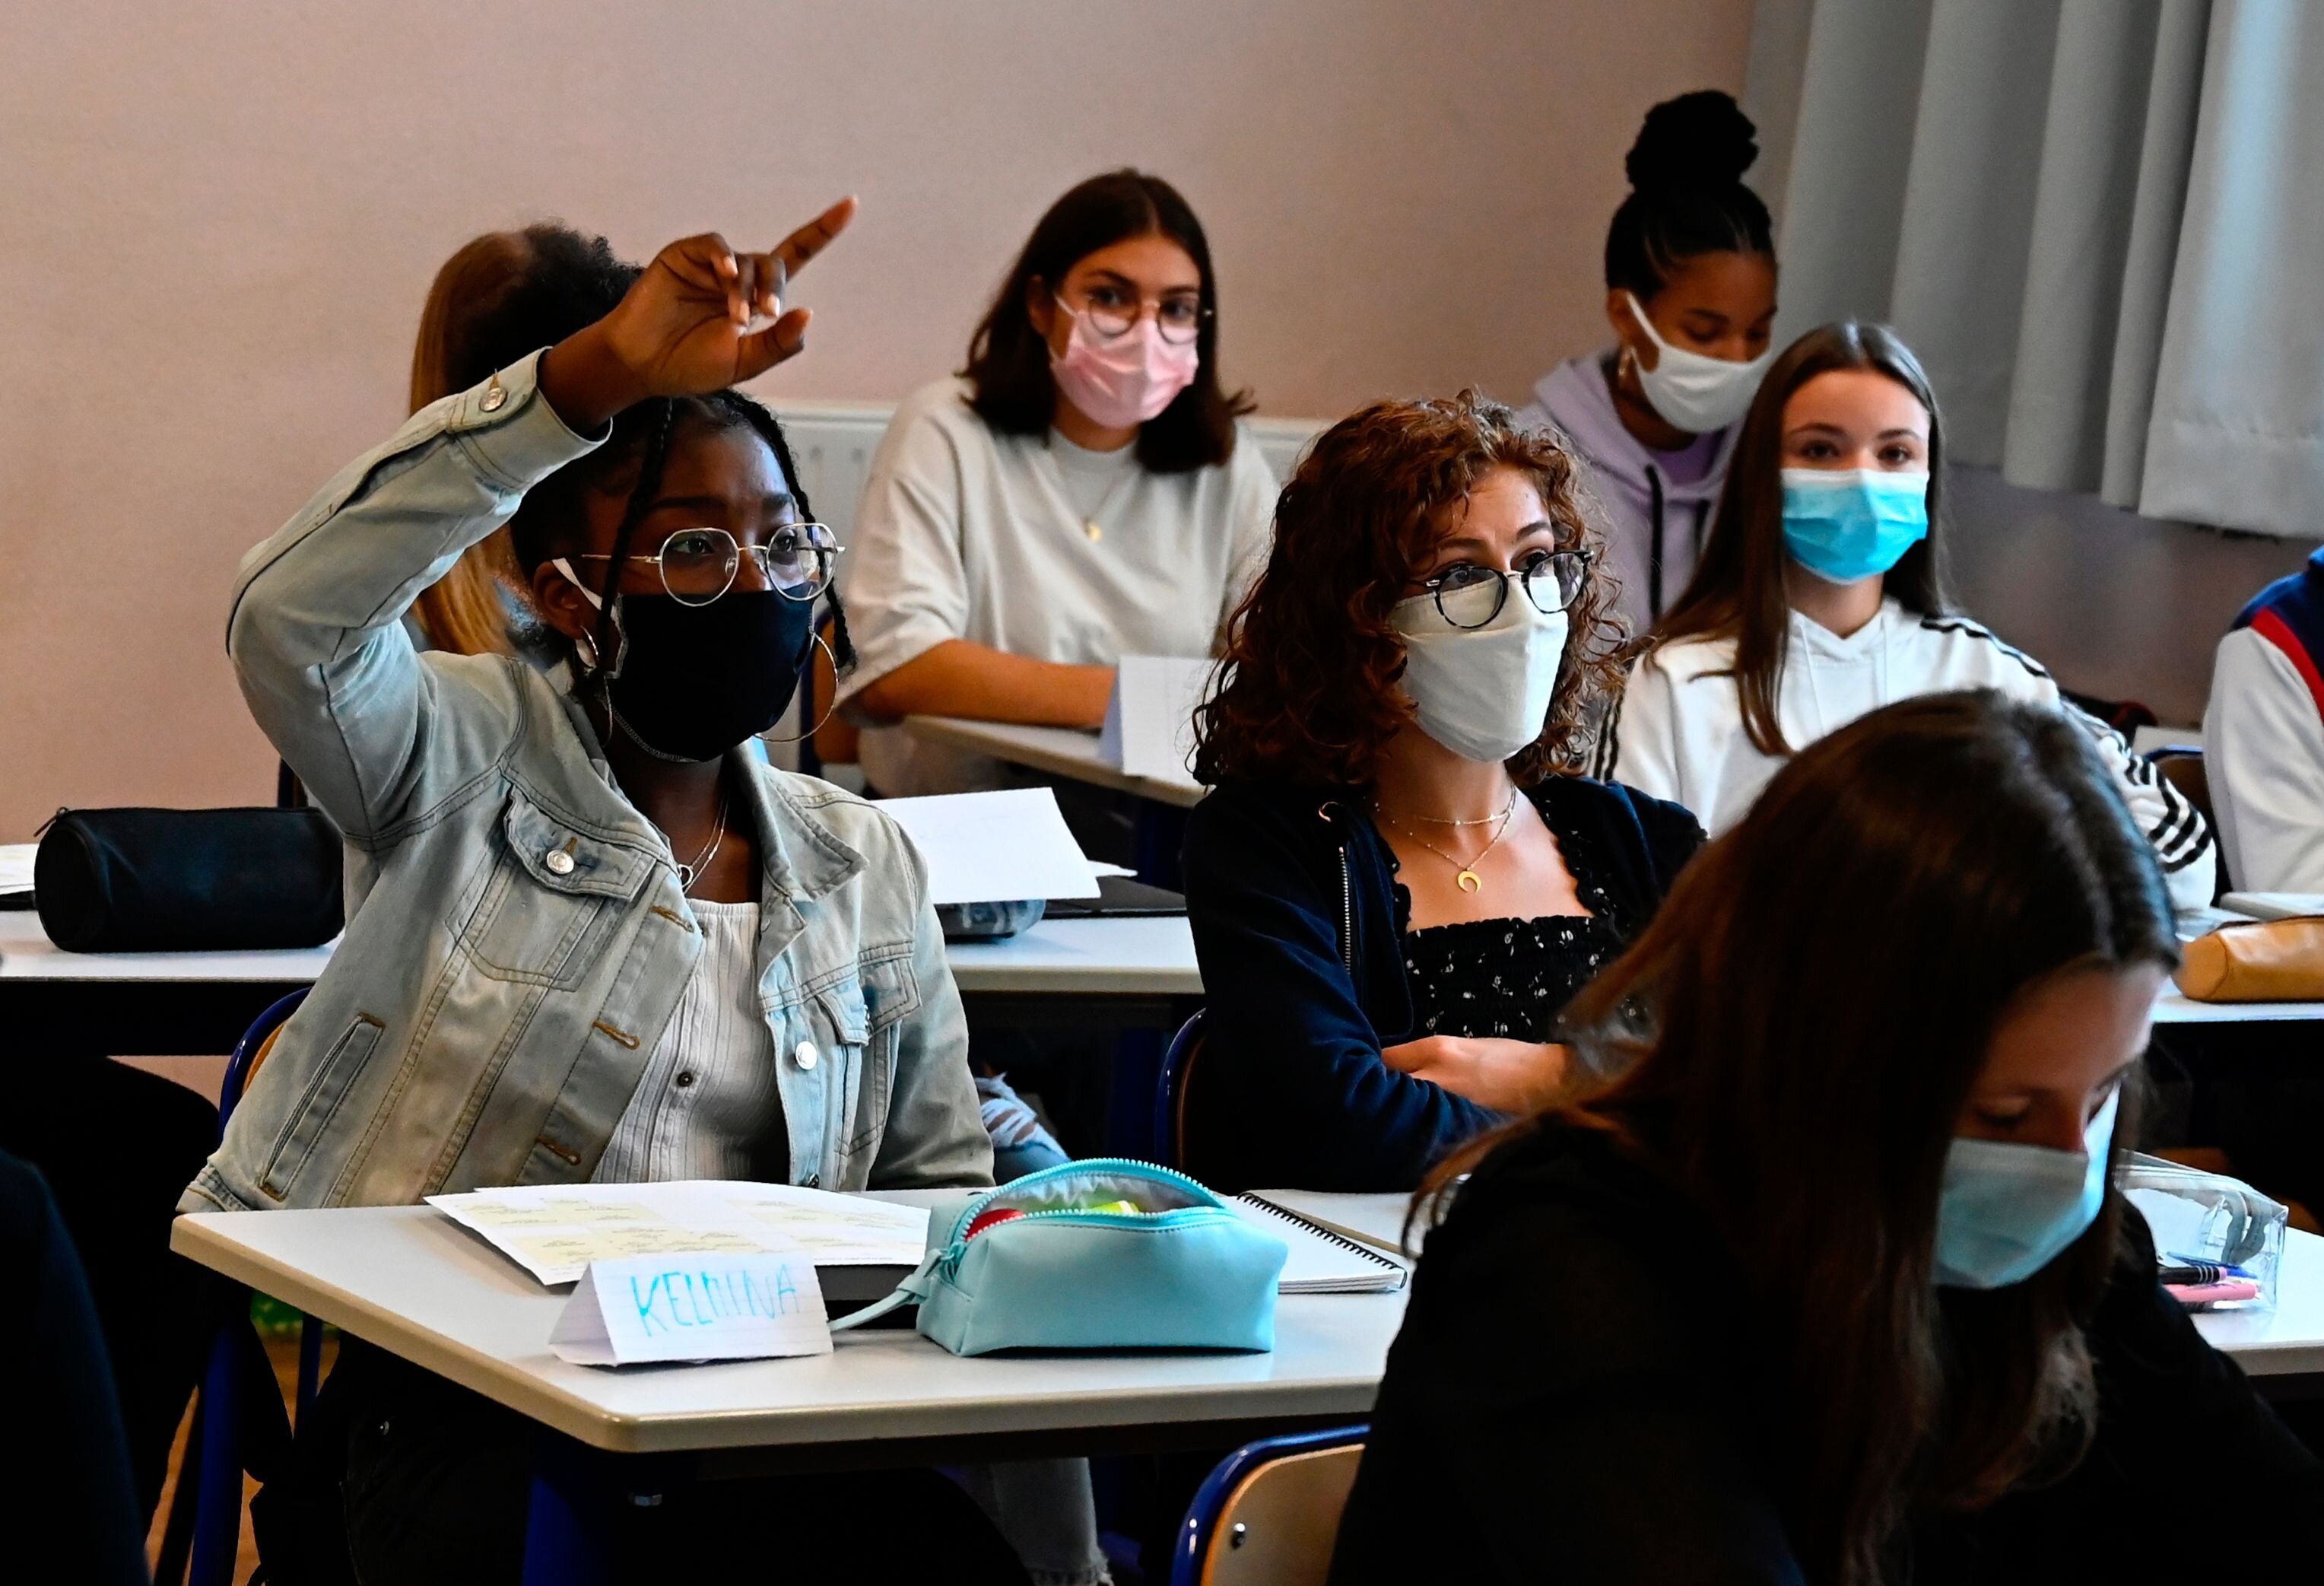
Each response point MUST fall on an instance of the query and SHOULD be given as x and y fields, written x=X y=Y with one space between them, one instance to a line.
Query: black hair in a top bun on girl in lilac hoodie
x=1686 y=194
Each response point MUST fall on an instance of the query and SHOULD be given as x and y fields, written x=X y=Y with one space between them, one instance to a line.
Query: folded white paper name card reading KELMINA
x=694 y=1308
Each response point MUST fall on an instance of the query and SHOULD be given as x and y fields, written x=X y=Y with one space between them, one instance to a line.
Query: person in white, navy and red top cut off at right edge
x=2265 y=738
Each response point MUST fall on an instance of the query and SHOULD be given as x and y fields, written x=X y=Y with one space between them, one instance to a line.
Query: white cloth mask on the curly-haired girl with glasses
x=1482 y=692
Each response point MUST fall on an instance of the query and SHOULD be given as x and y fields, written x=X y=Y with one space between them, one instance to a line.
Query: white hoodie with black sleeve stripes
x=1679 y=729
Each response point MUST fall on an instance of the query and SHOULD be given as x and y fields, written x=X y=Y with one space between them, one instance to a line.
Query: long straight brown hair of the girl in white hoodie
x=1737 y=590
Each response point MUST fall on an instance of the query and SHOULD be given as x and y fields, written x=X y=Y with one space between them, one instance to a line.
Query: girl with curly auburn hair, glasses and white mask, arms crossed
x=1396 y=885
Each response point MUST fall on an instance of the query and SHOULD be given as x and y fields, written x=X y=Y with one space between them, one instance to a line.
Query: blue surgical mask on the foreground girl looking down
x=2009 y=1210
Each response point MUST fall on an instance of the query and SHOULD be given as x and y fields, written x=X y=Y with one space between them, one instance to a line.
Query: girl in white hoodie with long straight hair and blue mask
x=1823 y=596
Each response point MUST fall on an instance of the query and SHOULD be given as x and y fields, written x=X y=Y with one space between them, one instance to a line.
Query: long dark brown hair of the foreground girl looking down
x=1795 y=1038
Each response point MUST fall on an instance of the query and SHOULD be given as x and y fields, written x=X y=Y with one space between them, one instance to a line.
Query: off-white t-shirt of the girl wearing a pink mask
x=1038 y=548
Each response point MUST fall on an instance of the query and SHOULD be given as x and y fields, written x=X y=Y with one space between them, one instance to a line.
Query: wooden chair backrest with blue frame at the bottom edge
x=1270 y=1513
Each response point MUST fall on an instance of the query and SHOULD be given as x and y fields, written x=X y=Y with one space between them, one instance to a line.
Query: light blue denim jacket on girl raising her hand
x=517 y=936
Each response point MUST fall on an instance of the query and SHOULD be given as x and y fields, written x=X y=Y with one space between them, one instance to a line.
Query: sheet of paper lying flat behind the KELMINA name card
x=557 y=1231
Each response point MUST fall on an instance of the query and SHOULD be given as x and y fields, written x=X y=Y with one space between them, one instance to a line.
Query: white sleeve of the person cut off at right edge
x=2265 y=750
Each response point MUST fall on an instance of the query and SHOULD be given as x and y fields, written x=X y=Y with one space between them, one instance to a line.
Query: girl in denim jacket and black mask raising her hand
x=591 y=934
